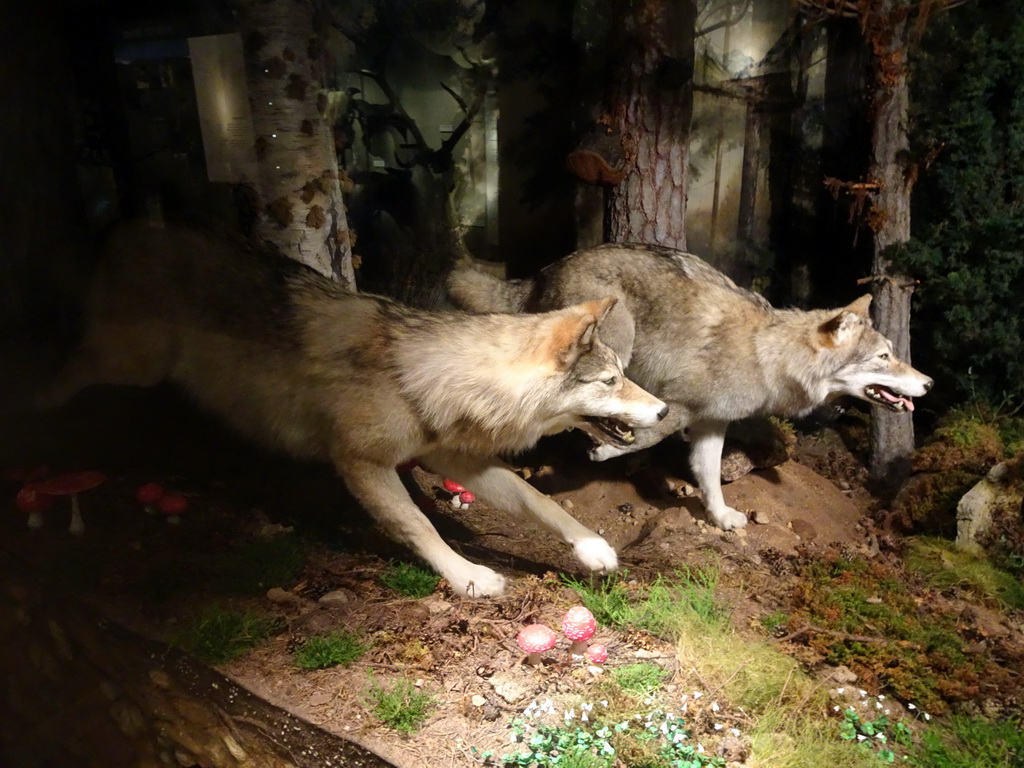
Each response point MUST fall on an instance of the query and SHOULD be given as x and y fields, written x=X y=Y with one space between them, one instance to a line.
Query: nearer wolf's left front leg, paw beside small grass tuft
x=380 y=491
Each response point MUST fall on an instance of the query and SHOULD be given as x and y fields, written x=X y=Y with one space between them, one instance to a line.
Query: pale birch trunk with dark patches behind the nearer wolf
x=300 y=202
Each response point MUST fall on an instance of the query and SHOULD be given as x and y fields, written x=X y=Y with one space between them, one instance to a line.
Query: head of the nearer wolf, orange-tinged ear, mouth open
x=594 y=392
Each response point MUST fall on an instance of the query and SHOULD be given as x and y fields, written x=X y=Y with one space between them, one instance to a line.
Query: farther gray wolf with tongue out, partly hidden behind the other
x=714 y=352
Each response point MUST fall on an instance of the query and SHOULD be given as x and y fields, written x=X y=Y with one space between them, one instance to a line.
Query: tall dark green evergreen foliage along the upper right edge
x=968 y=249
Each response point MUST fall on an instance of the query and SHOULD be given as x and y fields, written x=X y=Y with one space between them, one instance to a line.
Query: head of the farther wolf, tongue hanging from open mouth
x=866 y=365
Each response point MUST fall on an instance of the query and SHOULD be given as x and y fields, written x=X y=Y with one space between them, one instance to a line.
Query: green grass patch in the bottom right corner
x=966 y=743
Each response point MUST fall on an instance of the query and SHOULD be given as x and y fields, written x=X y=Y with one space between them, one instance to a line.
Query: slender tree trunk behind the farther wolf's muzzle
x=891 y=434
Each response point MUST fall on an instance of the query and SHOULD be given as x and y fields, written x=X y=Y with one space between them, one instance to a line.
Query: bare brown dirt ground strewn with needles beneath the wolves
x=461 y=651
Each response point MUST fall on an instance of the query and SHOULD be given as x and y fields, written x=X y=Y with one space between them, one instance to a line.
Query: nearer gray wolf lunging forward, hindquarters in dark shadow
x=293 y=361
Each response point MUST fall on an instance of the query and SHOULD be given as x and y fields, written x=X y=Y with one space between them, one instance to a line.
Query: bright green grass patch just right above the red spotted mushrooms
x=664 y=608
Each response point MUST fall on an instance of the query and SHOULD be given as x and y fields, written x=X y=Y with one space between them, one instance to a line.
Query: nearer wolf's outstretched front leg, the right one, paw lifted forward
x=494 y=482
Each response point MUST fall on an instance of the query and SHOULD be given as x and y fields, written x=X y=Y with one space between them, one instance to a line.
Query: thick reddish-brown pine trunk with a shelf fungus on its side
x=652 y=106
